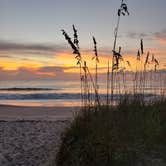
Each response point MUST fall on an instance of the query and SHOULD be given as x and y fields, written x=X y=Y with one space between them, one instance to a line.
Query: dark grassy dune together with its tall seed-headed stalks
x=124 y=135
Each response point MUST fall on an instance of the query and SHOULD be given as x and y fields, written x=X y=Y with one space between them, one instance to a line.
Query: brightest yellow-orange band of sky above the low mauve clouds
x=68 y=60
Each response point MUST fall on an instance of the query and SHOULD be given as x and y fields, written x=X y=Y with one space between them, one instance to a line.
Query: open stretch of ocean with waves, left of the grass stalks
x=40 y=93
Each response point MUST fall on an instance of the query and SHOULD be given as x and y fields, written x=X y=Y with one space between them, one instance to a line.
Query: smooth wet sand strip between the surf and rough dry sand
x=9 y=113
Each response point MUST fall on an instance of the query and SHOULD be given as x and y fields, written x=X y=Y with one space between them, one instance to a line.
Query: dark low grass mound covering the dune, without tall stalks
x=117 y=137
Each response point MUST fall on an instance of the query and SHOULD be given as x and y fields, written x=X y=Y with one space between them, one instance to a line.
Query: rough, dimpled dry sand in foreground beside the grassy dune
x=30 y=143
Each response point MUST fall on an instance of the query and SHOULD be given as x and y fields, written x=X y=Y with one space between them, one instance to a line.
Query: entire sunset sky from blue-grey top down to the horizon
x=32 y=45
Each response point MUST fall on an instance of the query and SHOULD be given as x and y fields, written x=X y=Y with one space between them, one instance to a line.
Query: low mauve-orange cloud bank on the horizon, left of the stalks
x=43 y=73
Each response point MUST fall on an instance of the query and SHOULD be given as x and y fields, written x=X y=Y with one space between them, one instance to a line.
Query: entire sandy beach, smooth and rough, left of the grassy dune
x=30 y=136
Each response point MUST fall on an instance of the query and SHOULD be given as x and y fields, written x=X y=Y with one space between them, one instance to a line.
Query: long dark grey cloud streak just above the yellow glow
x=11 y=48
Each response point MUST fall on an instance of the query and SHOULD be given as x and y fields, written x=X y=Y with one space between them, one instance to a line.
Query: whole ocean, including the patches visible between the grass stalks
x=66 y=93
